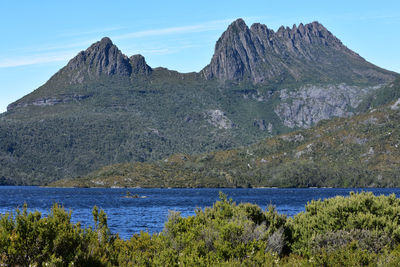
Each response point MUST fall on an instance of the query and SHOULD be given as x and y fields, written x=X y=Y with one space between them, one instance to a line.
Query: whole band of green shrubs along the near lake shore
x=358 y=230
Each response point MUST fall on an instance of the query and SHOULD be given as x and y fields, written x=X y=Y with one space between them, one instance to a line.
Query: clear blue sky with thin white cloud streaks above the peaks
x=39 y=37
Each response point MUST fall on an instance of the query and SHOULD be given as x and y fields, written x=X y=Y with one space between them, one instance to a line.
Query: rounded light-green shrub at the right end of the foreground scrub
x=336 y=221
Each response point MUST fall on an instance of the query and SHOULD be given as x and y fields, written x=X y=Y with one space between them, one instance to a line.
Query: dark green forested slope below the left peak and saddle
x=123 y=121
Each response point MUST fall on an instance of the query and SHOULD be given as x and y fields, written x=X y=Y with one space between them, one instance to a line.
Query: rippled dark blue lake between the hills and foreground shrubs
x=127 y=216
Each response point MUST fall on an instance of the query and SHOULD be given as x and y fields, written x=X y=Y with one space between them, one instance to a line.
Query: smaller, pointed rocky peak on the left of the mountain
x=101 y=61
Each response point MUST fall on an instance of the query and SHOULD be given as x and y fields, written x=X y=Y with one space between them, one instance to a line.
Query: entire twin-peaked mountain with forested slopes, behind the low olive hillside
x=106 y=108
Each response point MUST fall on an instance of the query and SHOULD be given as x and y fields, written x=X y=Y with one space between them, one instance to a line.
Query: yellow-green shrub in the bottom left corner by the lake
x=27 y=238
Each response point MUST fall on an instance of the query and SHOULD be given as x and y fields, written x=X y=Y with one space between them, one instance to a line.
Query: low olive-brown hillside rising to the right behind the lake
x=361 y=151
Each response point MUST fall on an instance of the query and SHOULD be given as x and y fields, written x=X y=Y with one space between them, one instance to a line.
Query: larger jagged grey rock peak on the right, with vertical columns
x=302 y=53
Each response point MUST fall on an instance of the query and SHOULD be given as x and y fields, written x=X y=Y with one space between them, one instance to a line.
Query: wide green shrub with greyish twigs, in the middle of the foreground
x=225 y=231
